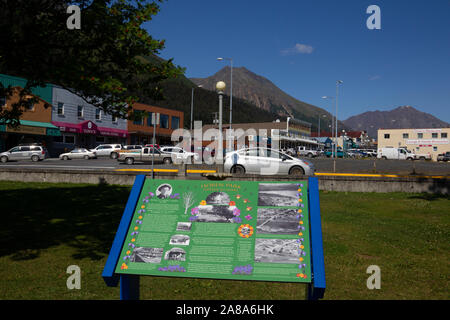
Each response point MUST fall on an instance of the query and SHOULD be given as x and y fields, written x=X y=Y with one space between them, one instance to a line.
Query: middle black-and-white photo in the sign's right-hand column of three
x=277 y=221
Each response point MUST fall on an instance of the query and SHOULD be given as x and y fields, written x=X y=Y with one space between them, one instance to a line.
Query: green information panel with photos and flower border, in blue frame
x=243 y=230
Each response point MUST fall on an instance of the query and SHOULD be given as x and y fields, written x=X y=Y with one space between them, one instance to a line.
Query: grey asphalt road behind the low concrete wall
x=403 y=167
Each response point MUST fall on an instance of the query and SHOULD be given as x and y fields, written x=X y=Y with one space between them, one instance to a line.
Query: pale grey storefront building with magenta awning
x=83 y=125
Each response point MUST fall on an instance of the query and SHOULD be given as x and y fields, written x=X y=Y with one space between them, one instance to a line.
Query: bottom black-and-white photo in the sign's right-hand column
x=276 y=251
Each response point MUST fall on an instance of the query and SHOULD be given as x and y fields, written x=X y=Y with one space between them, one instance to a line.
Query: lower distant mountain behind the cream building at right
x=400 y=118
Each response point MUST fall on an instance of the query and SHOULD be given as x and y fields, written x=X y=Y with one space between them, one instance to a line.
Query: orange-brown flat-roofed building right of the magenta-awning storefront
x=140 y=129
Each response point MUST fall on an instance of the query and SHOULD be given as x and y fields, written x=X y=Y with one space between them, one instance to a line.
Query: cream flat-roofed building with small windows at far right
x=420 y=141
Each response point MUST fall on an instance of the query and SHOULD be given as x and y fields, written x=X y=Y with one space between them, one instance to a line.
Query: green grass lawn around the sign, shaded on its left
x=47 y=227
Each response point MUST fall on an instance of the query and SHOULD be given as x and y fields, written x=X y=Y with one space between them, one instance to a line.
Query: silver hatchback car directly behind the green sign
x=265 y=161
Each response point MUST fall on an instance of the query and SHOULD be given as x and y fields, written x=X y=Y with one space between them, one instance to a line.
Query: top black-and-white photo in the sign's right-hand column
x=277 y=194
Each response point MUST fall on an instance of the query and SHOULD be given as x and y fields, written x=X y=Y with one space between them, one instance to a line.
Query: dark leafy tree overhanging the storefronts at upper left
x=107 y=61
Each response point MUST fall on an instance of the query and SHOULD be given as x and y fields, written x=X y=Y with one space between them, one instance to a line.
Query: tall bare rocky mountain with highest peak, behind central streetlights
x=265 y=95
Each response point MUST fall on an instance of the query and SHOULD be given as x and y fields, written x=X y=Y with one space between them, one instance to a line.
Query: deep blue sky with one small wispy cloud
x=303 y=47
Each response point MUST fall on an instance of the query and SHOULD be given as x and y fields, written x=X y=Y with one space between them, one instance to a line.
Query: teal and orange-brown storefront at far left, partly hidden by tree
x=35 y=122
